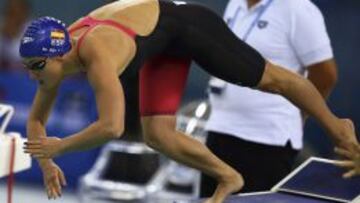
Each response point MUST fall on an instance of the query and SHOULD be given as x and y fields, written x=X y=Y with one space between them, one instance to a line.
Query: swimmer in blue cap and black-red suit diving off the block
x=147 y=36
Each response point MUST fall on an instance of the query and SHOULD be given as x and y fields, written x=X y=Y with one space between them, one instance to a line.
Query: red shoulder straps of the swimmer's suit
x=92 y=23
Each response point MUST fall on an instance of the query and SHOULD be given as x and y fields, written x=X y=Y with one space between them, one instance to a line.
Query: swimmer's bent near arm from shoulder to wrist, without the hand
x=103 y=78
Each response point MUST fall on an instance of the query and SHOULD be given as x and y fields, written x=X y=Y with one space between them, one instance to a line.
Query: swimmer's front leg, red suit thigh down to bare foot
x=161 y=86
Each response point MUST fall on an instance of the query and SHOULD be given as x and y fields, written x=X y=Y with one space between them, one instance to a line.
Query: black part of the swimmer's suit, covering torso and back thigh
x=192 y=30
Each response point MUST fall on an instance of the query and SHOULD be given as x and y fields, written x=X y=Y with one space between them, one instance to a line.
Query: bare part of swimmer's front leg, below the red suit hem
x=160 y=133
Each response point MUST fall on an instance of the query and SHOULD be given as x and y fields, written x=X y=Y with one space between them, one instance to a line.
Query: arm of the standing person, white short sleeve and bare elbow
x=311 y=43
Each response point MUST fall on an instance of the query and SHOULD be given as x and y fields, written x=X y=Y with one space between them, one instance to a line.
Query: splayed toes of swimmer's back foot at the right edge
x=351 y=162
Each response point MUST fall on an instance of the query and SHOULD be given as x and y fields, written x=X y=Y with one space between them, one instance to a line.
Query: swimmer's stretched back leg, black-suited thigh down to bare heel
x=222 y=54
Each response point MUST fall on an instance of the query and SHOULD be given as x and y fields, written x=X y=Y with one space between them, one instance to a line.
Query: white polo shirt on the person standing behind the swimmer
x=290 y=33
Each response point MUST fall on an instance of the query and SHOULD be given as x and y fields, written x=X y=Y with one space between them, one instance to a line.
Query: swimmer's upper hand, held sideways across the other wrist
x=48 y=147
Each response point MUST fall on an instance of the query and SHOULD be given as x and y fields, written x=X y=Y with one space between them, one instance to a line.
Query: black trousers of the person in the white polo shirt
x=262 y=166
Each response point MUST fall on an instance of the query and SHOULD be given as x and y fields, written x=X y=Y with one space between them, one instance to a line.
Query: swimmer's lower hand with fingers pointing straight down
x=53 y=178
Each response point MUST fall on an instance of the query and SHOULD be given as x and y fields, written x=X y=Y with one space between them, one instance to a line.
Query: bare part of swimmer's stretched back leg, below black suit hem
x=303 y=94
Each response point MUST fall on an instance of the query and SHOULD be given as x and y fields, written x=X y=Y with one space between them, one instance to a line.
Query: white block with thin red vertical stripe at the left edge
x=22 y=161
